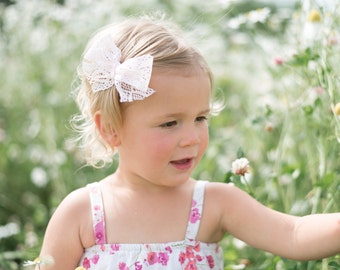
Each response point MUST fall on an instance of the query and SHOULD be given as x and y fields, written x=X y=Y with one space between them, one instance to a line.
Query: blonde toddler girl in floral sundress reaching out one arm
x=146 y=94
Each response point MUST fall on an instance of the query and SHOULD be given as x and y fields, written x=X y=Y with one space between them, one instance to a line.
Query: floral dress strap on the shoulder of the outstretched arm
x=195 y=213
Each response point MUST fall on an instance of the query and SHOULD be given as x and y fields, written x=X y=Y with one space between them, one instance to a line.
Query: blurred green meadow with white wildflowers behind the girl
x=277 y=76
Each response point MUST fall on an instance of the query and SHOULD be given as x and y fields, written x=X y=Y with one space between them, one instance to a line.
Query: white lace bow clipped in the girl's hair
x=102 y=68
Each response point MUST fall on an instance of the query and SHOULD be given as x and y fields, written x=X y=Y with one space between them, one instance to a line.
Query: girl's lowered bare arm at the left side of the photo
x=62 y=241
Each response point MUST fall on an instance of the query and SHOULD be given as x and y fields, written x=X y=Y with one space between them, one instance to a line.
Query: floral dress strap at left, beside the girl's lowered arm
x=97 y=210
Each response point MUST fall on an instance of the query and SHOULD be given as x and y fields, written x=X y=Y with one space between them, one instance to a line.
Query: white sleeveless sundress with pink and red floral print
x=185 y=254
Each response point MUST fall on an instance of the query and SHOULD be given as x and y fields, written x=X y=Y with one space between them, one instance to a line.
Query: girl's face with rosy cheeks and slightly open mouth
x=164 y=136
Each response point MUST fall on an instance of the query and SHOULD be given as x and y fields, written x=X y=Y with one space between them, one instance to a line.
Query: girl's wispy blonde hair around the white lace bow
x=134 y=37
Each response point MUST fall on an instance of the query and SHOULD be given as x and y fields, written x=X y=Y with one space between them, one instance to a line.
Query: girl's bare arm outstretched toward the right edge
x=299 y=238
